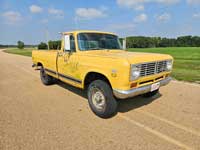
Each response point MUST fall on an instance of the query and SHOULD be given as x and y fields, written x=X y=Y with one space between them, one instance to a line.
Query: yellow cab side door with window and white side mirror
x=67 y=62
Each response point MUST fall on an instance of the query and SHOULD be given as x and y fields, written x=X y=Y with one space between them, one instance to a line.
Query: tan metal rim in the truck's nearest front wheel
x=98 y=99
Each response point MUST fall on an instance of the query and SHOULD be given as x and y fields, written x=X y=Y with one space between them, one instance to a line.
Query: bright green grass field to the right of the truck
x=186 y=64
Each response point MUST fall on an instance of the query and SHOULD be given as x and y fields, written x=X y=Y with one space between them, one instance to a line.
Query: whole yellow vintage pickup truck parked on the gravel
x=95 y=61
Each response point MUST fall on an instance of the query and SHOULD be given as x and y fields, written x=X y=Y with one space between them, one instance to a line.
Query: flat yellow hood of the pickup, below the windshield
x=132 y=57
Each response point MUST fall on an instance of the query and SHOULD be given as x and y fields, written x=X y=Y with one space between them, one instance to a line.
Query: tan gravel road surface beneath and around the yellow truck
x=38 y=117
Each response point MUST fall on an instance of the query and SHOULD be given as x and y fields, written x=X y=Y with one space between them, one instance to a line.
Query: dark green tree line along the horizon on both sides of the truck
x=131 y=42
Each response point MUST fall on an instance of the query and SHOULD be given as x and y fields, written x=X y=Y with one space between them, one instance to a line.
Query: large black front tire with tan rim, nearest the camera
x=101 y=99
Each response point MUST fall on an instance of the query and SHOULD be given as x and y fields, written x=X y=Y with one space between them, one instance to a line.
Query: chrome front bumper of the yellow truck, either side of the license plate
x=122 y=94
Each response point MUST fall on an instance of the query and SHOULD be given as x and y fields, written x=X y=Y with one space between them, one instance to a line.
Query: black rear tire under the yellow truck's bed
x=45 y=78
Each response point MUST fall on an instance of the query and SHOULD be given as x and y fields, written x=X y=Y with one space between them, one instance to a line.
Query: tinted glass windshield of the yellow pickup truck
x=98 y=41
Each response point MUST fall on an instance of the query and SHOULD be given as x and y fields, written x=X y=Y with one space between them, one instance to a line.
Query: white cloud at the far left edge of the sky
x=12 y=17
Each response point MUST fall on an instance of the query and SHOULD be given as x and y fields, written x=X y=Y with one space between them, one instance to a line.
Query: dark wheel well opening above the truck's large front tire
x=92 y=76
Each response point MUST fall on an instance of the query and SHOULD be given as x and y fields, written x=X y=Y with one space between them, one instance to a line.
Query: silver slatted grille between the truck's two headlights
x=153 y=68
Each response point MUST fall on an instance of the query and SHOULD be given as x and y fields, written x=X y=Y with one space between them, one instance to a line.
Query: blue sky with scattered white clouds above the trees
x=35 y=21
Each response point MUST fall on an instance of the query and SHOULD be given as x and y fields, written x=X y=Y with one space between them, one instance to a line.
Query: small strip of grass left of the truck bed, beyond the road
x=24 y=52
